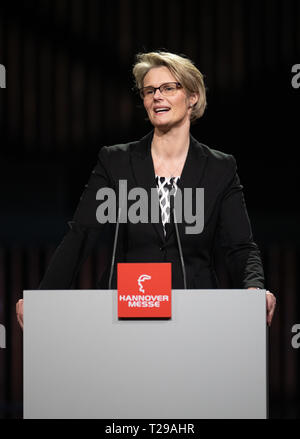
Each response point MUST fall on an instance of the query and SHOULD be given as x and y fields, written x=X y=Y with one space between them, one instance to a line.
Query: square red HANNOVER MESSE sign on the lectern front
x=144 y=290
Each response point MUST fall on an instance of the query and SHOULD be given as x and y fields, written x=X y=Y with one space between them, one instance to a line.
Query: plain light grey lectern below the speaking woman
x=209 y=361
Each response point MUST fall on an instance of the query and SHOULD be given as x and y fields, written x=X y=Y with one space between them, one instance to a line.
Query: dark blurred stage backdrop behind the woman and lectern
x=69 y=91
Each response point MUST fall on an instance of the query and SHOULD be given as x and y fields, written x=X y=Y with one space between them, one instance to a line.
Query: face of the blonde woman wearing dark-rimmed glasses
x=166 y=112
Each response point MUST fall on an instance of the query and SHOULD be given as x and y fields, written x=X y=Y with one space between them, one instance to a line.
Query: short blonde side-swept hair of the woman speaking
x=182 y=68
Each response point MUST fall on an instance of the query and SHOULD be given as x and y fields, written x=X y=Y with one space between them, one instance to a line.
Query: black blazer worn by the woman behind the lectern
x=226 y=222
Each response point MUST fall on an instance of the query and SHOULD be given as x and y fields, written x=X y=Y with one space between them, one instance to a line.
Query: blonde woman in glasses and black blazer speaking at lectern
x=167 y=159
